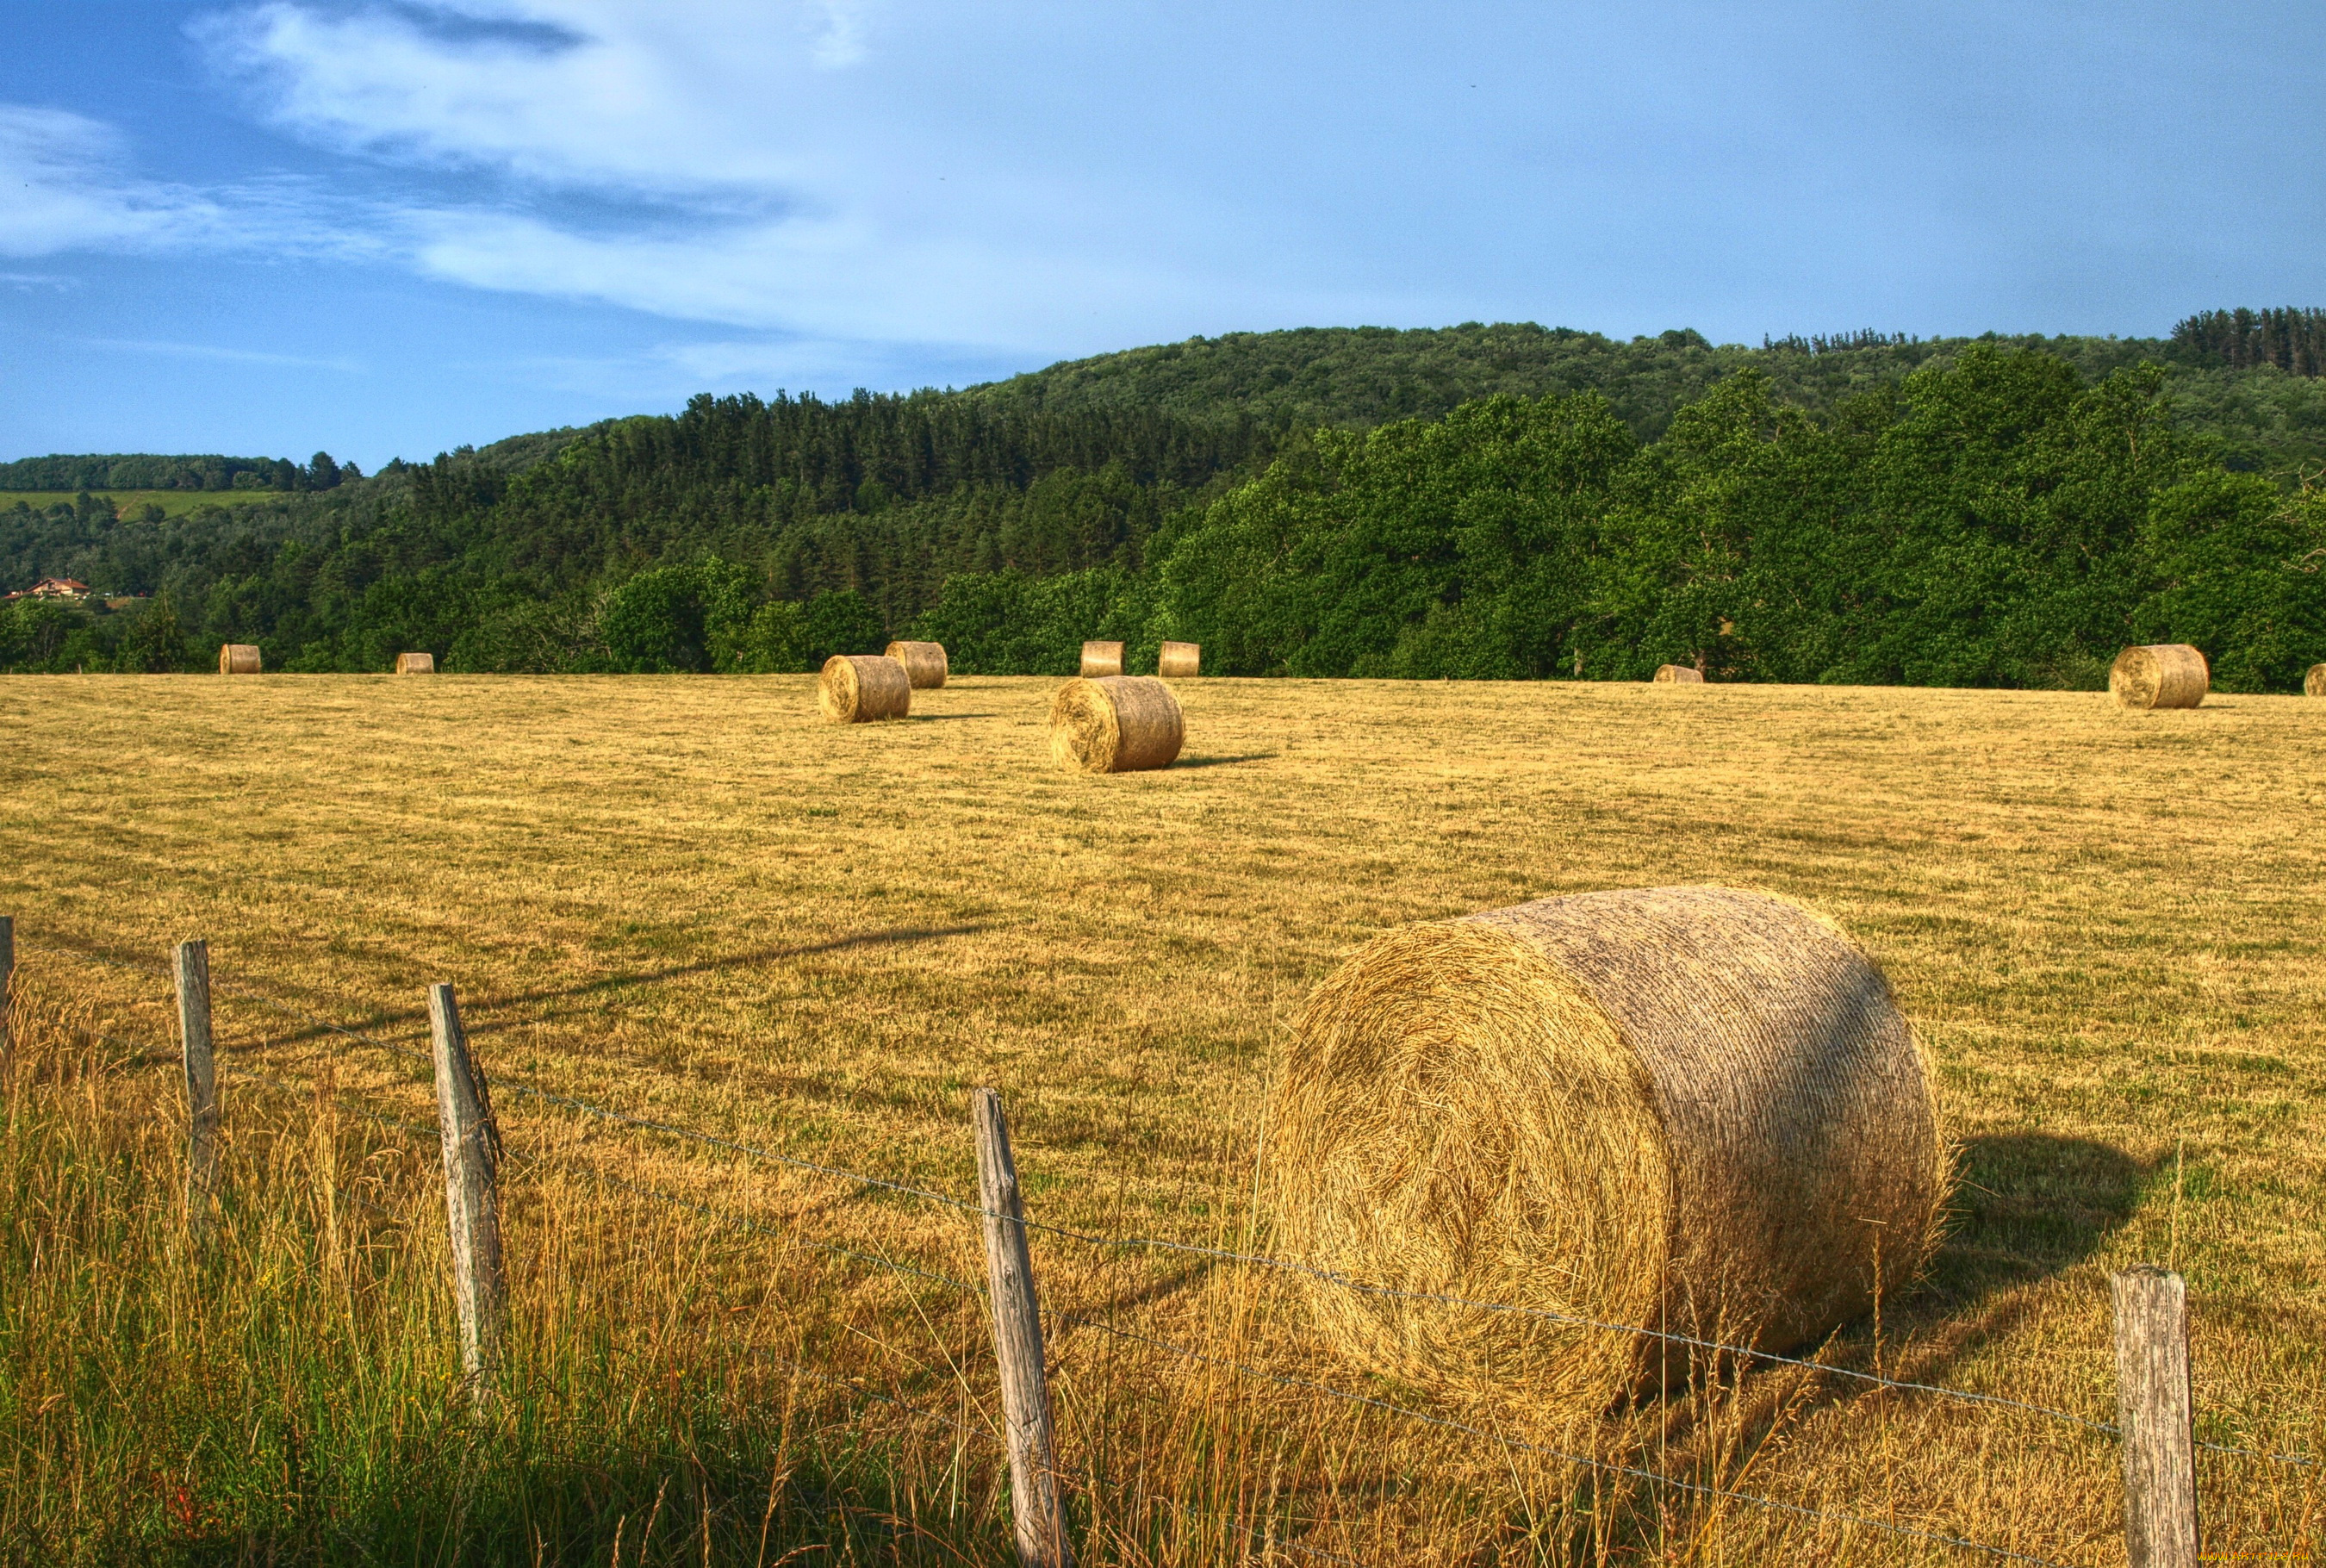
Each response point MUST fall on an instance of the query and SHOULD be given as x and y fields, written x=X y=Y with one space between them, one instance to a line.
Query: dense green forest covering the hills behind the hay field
x=1480 y=501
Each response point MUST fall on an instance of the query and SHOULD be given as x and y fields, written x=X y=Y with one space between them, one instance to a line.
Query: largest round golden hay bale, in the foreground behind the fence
x=1683 y=1111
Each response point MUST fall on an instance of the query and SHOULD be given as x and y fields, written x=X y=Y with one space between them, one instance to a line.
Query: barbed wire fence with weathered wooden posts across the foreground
x=2160 y=1441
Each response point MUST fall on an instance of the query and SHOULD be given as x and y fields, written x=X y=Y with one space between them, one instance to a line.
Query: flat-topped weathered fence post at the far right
x=2155 y=1411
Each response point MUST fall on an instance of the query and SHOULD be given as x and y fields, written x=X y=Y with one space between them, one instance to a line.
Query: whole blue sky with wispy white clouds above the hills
x=392 y=227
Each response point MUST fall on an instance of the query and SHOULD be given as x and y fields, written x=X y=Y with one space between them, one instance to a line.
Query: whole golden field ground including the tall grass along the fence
x=692 y=901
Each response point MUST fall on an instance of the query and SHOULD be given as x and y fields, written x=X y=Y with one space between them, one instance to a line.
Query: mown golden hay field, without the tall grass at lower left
x=699 y=904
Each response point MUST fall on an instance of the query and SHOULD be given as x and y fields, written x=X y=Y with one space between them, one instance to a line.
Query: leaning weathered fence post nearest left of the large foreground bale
x=1018 y=1346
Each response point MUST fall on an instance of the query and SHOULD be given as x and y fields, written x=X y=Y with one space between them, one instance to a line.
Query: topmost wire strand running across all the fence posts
x=1253 y=1260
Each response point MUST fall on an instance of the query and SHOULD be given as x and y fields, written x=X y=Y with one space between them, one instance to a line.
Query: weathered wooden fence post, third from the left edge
x=471 y=1195
